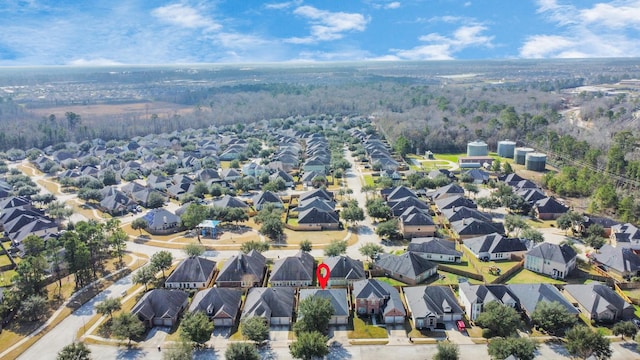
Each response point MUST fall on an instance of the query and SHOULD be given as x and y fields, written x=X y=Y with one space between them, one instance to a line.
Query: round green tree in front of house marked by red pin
x=314 y=314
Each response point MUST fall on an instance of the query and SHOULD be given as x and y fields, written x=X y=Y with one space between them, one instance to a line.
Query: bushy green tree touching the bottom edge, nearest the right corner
x=583 y=342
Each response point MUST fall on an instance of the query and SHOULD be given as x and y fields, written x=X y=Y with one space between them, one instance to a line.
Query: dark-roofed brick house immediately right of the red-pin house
x=374 y=297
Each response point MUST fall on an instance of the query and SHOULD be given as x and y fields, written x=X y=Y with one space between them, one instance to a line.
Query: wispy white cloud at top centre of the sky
x=327 y=25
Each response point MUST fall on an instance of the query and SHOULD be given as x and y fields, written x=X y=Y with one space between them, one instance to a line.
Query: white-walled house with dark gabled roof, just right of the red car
x=474 y=297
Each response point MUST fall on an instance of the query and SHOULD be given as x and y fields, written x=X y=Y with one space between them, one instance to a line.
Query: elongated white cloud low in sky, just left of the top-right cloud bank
x=441 y=47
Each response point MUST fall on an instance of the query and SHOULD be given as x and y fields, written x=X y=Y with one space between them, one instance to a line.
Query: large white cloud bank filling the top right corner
x=603 y=30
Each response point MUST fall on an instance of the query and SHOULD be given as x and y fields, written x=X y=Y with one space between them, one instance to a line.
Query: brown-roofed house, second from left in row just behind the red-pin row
x=242 y=270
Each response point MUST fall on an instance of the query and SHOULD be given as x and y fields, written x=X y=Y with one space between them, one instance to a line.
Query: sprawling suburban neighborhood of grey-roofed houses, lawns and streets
x=233 y=224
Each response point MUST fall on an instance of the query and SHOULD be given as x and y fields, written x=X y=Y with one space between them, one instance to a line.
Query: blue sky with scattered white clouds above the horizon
x=103 y=32
